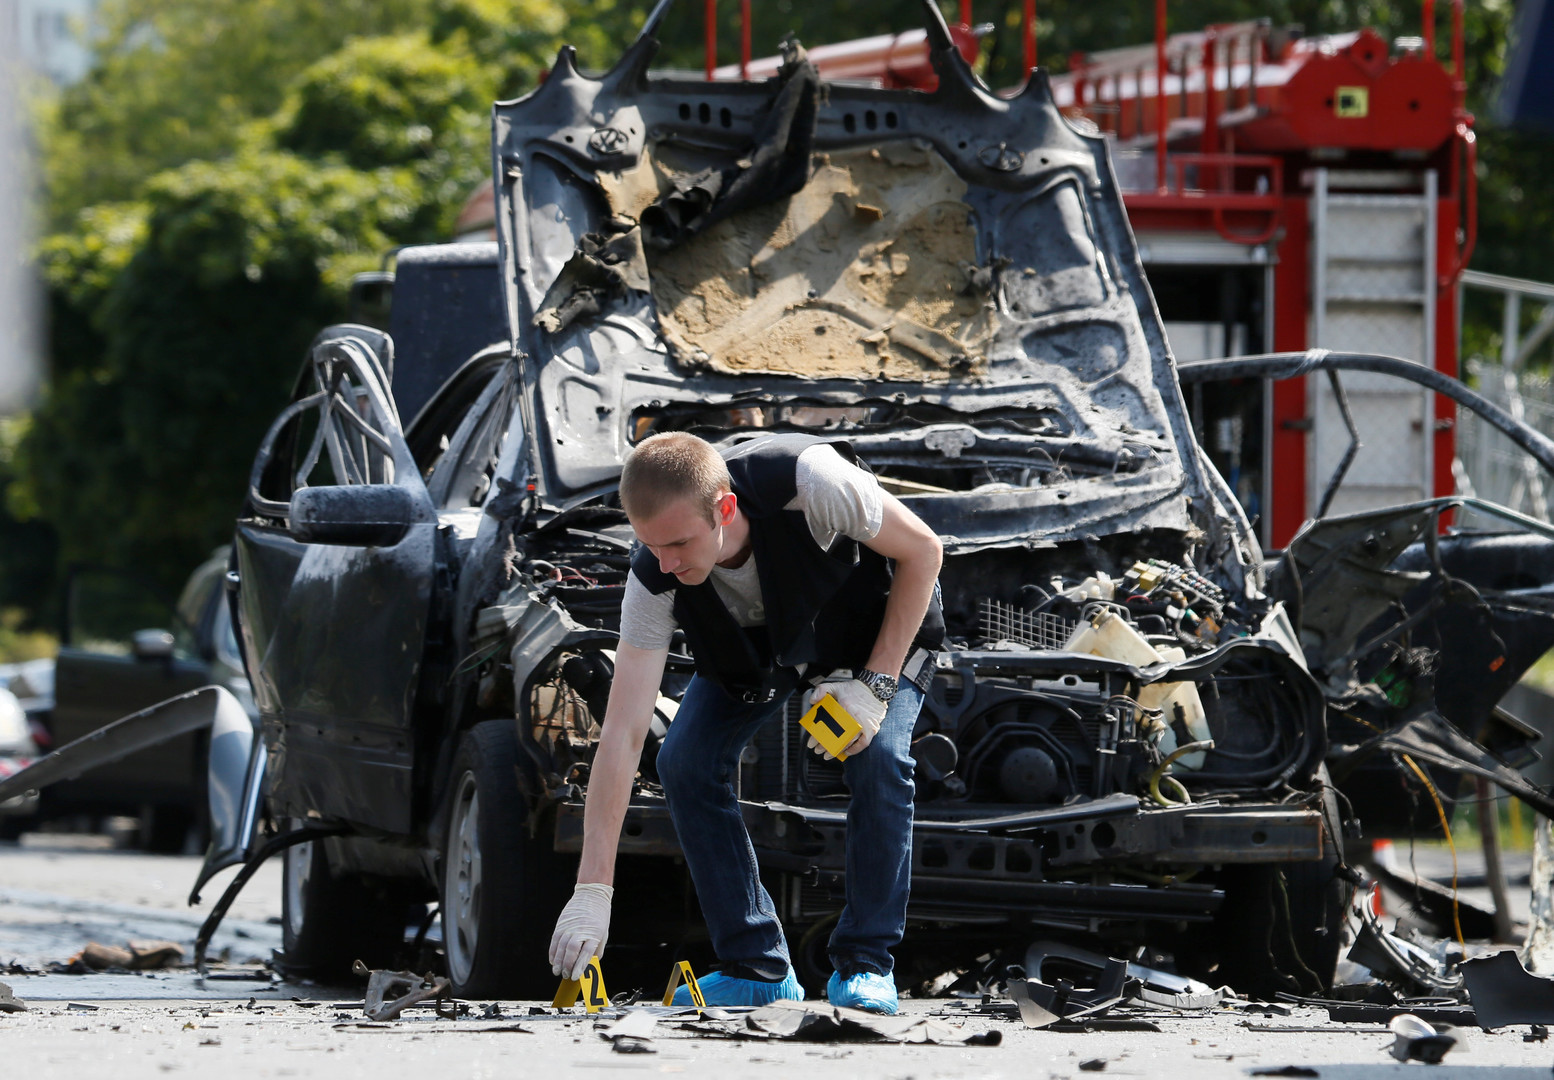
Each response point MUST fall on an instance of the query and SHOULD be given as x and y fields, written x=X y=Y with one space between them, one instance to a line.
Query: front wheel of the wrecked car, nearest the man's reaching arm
x=498 y=883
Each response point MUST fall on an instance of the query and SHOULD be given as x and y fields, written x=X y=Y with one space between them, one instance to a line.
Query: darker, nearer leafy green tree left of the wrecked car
x=141 y=458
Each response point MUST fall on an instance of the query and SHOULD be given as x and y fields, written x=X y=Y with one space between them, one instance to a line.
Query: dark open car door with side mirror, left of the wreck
x=336 y=556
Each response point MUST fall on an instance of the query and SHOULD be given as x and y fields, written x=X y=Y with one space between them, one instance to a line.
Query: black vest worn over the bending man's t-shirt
x=823 y=607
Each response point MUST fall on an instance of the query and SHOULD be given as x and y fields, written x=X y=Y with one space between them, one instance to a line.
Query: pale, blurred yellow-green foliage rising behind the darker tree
x=181 y=80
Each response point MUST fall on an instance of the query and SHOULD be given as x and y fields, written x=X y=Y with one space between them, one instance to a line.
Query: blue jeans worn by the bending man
x=699 y=767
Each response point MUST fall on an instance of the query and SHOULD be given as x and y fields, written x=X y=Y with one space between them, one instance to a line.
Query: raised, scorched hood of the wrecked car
x=941 y=276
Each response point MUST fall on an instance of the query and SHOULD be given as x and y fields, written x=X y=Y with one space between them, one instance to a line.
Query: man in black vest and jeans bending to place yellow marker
x=789 y=568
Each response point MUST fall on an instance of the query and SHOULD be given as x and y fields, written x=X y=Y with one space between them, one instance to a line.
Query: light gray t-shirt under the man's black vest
x=837 y=498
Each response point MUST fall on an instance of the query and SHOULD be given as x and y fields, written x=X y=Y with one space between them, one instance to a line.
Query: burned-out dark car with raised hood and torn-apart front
x=1127 y=740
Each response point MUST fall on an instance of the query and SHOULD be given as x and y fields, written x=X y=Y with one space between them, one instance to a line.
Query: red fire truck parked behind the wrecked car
x=1297 y=193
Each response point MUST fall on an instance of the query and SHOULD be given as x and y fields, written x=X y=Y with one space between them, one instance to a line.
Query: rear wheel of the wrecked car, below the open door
x=330 y=921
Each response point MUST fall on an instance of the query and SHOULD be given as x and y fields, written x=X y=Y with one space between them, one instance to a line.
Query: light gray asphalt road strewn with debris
x=55 y=899
